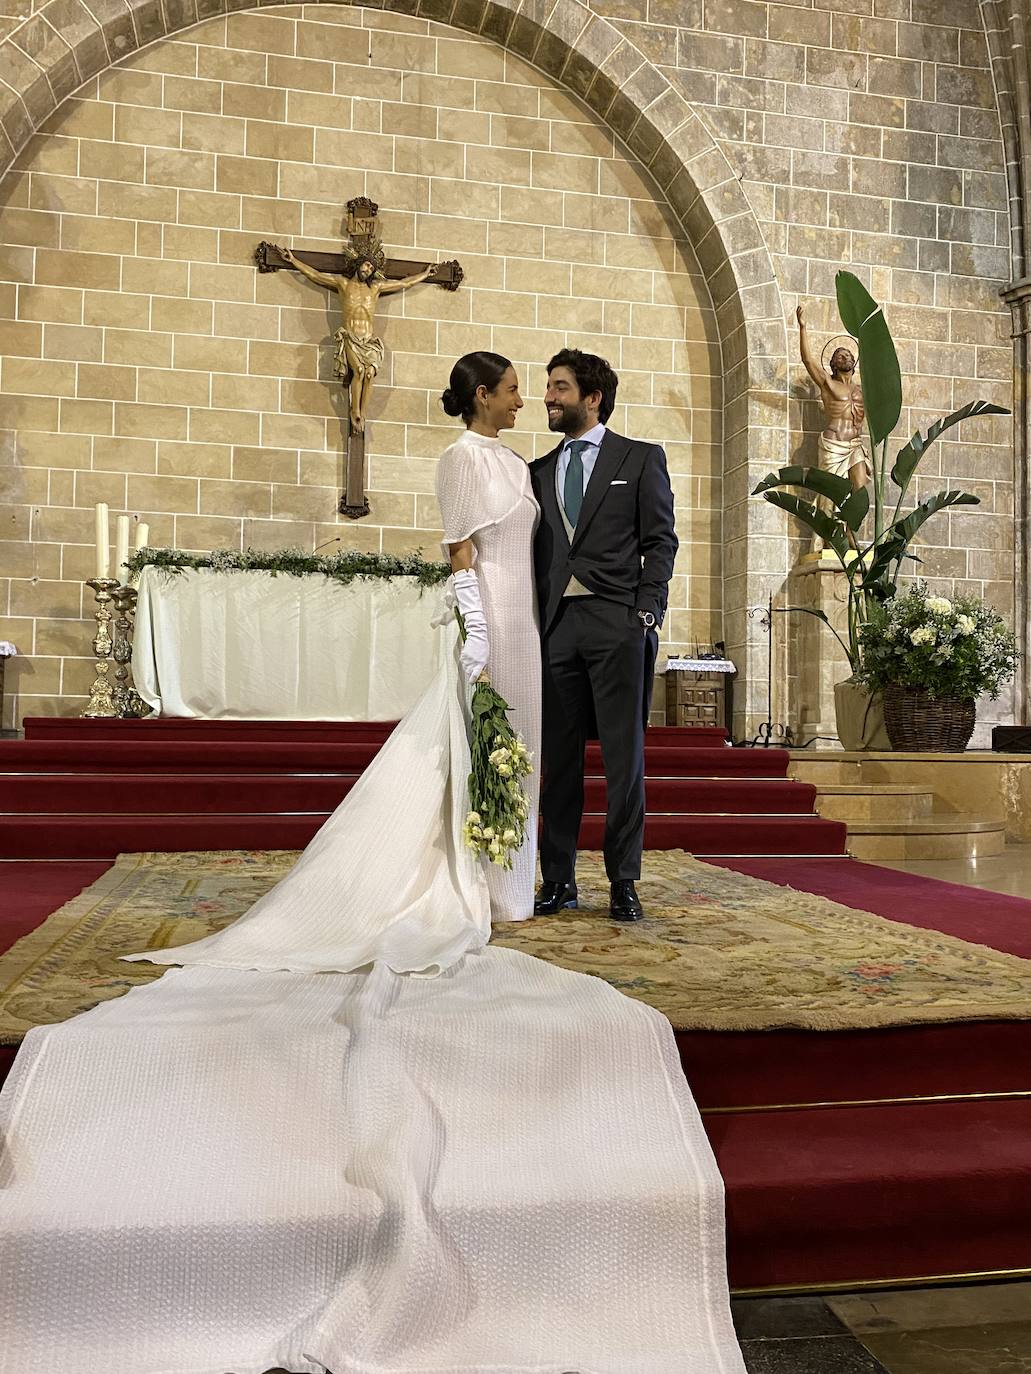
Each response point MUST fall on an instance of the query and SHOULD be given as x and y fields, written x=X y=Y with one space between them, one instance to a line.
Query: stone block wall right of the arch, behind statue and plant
x=867 y=135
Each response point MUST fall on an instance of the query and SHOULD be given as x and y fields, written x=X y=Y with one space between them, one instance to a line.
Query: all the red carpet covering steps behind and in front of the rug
x=820 y=1196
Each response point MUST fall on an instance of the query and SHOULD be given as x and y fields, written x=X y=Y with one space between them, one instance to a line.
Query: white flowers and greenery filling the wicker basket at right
x=948 y=648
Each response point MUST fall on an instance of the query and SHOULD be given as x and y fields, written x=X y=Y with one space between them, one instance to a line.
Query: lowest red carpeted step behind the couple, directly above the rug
x=107 y=836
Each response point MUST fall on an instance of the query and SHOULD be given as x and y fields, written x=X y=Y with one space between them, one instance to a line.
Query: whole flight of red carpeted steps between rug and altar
x=85 y=789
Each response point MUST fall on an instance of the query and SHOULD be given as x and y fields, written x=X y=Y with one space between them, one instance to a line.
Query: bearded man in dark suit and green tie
x=604 y=556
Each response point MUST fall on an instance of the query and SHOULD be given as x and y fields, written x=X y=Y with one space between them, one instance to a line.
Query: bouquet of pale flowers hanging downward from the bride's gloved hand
x=498 y=807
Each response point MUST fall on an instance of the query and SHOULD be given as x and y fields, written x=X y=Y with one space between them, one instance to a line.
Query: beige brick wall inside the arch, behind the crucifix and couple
x=148 y=365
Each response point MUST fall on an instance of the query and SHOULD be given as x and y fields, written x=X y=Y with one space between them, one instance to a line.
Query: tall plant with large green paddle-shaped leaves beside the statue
x=872 y=563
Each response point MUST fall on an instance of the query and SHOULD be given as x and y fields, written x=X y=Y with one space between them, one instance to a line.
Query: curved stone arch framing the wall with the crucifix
x=68 y=42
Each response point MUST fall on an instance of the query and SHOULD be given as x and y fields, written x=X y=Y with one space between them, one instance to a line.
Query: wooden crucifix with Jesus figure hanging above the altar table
x=359 y=275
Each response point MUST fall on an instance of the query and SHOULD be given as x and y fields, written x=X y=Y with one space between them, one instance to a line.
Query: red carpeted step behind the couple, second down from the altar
x=175 y=756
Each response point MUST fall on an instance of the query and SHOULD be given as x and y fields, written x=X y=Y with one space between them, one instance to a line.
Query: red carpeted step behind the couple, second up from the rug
x=131 y=793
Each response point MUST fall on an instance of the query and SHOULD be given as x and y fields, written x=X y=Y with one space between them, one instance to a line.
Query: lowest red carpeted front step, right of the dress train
x=858 y=1195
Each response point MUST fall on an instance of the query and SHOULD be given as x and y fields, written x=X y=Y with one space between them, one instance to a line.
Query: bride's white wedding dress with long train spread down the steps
x=291 y=1153
